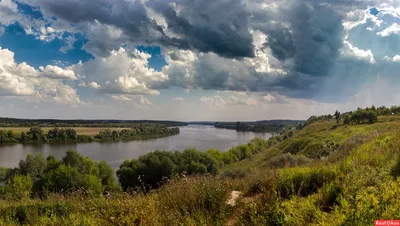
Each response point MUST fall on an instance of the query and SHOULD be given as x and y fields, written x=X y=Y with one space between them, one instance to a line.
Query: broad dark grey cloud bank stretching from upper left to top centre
x=197 y=30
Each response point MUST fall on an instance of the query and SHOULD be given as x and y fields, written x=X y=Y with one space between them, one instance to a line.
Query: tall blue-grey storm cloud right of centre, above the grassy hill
x=310 y=34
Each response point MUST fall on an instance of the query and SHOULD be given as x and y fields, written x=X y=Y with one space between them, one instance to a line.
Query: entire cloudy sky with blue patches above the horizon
x=189 y=60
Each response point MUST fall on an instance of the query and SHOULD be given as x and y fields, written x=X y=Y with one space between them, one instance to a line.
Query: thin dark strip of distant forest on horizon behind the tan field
x=15 y=122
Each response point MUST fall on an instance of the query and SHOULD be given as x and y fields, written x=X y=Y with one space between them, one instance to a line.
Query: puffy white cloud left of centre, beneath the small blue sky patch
x=123 y=72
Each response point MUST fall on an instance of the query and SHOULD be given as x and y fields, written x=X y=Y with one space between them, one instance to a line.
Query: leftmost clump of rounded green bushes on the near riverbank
x=38 y=177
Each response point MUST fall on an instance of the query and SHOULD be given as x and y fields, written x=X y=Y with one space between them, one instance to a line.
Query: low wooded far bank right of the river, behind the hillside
x=259 y=126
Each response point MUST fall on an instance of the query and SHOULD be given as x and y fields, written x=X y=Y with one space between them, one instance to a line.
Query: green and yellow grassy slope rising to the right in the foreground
x=342 y=175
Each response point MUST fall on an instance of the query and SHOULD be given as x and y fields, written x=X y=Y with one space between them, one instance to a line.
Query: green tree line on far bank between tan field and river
x=37 y=135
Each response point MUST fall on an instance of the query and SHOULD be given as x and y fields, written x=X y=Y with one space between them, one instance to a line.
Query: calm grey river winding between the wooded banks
x=192 y=136
